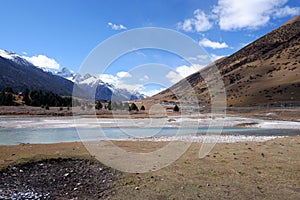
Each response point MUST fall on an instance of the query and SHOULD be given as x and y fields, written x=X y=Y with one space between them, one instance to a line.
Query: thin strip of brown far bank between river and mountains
x=291 y=113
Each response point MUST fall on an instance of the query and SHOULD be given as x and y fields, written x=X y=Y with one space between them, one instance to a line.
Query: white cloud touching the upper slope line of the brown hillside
x=182 y=72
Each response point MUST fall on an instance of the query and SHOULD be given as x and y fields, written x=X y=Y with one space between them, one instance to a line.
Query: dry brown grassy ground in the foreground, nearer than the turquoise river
x=252 y=170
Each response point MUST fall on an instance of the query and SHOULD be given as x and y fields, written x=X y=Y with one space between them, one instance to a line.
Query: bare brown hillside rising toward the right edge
x=266 y=71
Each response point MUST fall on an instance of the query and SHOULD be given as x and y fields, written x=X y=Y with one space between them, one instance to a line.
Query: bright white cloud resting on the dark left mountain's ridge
x=43 y=61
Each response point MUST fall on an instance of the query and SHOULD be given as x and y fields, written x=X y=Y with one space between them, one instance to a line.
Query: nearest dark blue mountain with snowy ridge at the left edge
x=19 y=74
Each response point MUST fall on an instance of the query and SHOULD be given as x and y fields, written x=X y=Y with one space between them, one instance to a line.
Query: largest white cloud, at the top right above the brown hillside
x=237 y=14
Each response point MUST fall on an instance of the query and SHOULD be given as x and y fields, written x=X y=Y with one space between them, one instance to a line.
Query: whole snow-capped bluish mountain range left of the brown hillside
x=18 y=73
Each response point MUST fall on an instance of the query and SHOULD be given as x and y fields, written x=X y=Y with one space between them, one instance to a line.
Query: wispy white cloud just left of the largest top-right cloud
x=200 y=22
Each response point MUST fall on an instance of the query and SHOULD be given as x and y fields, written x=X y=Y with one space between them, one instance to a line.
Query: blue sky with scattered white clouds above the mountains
x=63 y=33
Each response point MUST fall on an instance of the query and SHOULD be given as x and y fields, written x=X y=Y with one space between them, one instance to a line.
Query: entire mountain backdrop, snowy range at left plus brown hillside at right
x=265 y=72
